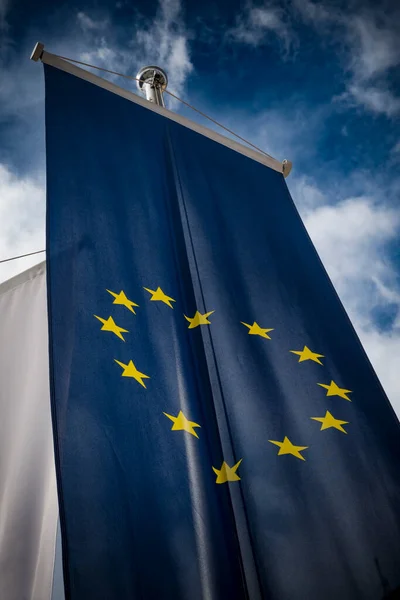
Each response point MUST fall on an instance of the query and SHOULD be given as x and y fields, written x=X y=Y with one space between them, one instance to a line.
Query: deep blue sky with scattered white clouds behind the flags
x=316 y=83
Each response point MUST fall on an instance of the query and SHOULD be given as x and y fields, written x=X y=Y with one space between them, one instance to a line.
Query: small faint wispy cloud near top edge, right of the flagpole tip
x=259 y=25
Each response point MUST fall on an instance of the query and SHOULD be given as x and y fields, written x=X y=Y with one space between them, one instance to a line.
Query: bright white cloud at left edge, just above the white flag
x=22 y=208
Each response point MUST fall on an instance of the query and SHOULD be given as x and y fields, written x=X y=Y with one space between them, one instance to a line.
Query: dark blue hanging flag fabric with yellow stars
x=219 y=430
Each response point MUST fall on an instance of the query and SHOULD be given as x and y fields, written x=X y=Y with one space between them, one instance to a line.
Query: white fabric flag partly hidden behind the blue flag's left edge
x=28 y=495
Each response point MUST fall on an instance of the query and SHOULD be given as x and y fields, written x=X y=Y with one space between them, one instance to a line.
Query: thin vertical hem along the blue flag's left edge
x=61 y=507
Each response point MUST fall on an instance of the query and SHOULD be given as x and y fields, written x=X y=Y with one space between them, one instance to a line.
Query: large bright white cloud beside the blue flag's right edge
x=350 y=237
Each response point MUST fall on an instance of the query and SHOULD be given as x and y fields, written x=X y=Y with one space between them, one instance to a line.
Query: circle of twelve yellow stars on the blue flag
x=180 y=422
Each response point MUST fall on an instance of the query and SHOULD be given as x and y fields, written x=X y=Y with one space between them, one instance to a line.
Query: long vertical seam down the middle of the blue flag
x=209 y=343
